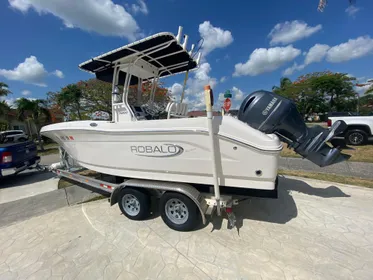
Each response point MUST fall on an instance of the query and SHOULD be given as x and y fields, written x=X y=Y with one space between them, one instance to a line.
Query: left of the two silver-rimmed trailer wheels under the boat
x=134 y=204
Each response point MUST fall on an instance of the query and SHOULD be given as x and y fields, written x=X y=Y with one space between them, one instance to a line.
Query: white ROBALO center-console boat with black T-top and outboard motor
x=178 y=148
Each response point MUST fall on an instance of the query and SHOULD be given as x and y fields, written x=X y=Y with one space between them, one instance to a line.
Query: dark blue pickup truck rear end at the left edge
x=17 y=156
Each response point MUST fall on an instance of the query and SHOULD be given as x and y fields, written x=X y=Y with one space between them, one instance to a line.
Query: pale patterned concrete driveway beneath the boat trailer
x=315 y=230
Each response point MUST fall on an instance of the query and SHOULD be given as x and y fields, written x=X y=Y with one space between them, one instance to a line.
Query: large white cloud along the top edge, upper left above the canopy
x=100 y=16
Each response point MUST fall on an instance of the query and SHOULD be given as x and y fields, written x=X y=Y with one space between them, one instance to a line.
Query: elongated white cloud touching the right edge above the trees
x=354 y=48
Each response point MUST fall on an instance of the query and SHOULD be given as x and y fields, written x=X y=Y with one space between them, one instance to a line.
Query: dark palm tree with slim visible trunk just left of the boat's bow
x=39 y=113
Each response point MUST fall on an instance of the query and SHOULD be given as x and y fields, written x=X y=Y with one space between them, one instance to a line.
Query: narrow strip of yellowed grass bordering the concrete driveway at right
x=329 y=177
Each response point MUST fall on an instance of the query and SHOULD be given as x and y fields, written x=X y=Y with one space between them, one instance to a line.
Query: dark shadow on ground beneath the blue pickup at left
x=24 y=178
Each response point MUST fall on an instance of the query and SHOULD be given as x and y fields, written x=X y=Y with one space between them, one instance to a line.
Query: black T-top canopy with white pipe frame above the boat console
x=161 y=50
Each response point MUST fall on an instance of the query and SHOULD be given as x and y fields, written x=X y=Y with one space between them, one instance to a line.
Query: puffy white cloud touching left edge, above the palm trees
x=30 y=71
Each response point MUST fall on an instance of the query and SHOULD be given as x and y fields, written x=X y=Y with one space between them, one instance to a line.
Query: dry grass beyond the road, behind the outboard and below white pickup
x=358 y=153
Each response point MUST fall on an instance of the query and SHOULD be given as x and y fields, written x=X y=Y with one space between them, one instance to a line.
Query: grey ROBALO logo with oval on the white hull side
x=162 y=150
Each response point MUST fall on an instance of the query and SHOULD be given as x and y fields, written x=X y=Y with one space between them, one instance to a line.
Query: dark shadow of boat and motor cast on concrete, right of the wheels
x=280 y=210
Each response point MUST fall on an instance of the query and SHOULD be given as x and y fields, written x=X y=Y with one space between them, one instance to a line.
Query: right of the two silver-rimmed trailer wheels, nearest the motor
x=179 y=212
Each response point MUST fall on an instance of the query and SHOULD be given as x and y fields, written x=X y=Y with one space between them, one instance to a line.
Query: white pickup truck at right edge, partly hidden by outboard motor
x=359 y=129
